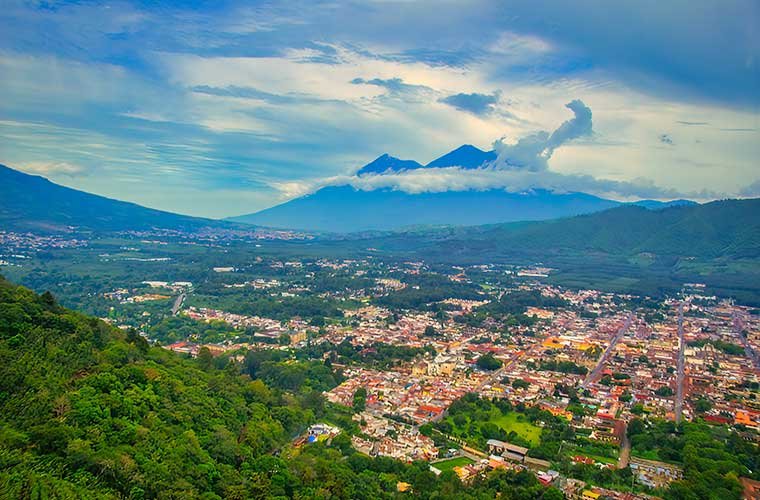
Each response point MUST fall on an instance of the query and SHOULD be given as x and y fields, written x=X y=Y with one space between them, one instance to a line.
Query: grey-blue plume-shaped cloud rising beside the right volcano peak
x=534 y=151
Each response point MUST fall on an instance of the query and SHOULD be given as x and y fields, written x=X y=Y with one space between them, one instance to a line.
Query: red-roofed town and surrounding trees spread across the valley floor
x=467 y=368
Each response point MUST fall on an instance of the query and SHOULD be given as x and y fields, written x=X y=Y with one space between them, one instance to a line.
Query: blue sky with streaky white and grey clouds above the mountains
x=224 y=108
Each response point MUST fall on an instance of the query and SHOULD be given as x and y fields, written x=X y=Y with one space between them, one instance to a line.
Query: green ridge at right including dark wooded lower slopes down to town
x=623 y=249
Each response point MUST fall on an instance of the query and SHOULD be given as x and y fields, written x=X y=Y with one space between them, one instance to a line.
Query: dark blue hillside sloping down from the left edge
x=31 y=202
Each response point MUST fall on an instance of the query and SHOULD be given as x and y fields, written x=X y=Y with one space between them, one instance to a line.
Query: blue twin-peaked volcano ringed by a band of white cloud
x=346 y=209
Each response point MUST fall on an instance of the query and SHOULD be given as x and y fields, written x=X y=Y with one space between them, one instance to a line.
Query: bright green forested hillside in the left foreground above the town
x=89 y=411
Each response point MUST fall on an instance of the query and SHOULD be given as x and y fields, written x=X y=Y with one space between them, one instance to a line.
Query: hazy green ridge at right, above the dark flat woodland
x=729 y=228
